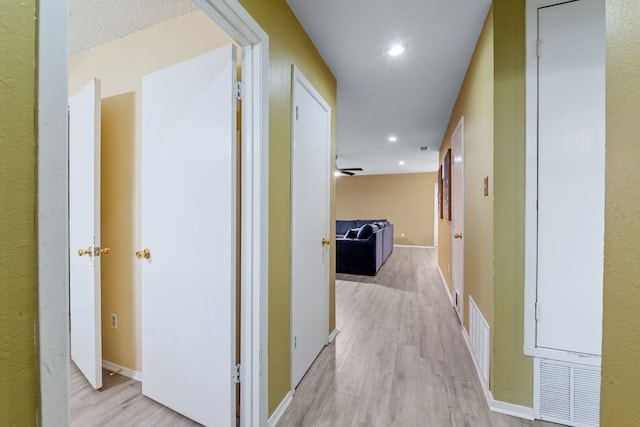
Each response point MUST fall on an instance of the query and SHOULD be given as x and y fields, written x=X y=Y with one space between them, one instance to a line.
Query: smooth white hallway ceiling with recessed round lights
x=410 y=96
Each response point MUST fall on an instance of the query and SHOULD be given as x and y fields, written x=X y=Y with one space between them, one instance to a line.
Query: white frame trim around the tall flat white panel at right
x=531 y=198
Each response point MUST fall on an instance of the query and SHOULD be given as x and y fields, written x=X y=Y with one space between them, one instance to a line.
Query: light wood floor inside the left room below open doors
x=119 y=403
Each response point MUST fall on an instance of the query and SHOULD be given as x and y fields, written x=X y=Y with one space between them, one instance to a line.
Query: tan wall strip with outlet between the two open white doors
x=118 y=139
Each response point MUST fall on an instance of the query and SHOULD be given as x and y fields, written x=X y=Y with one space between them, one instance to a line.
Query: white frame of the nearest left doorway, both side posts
x=53 y=214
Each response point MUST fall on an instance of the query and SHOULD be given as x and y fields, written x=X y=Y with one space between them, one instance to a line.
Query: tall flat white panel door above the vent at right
x=571 y=161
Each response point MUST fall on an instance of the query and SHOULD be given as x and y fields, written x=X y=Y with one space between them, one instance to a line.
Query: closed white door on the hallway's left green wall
x=309 y=226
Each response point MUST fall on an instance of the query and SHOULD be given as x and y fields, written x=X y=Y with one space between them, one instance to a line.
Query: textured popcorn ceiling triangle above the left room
x=96 y=22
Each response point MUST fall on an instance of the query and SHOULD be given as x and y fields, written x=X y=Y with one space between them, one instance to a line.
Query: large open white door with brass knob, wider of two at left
x=188 y=228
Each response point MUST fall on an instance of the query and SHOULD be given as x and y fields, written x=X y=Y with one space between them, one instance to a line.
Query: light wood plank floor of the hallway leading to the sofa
x=399 y=358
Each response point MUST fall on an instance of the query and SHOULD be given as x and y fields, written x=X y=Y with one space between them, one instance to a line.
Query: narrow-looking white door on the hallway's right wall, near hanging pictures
x=457 y=215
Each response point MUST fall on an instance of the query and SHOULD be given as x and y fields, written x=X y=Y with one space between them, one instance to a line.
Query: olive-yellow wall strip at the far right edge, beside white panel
x=621 y=326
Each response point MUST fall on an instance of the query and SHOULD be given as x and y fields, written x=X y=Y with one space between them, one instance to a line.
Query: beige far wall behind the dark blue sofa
x=406 y=200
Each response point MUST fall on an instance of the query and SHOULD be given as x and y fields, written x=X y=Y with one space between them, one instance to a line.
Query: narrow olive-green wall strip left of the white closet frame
x=512 y=372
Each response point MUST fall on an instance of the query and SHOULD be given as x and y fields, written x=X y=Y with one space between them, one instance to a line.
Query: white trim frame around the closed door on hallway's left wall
x=299 y=77
